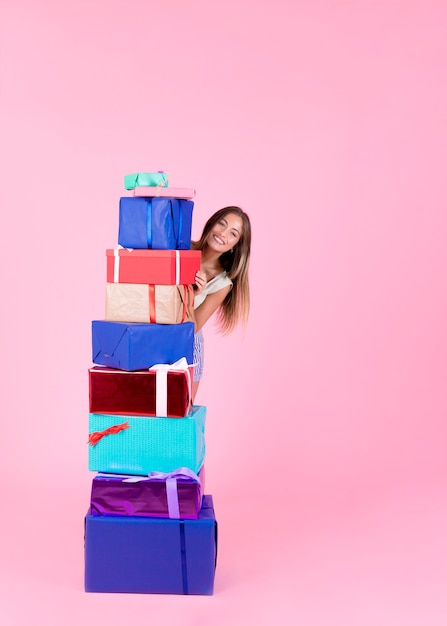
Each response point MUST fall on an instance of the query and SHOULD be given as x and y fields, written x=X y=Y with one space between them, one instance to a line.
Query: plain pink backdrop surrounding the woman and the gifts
x=326 y=121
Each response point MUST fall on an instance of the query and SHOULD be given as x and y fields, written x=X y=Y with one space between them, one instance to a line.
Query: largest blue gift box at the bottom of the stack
x=150 y=554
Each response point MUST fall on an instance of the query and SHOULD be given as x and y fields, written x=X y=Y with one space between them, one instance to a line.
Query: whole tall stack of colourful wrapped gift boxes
x=149 y=528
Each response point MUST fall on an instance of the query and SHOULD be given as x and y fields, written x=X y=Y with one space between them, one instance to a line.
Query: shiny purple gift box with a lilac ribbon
x=174 y=495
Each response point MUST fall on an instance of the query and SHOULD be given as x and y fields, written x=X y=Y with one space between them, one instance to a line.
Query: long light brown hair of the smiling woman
x=236 y=306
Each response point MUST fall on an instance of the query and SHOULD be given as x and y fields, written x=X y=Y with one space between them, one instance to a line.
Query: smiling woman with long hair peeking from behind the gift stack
x=222 y=281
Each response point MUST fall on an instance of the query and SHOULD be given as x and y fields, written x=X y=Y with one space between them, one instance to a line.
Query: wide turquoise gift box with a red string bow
x=128 y=444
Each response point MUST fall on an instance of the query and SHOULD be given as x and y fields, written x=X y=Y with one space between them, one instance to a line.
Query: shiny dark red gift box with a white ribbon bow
x=163 y=391
